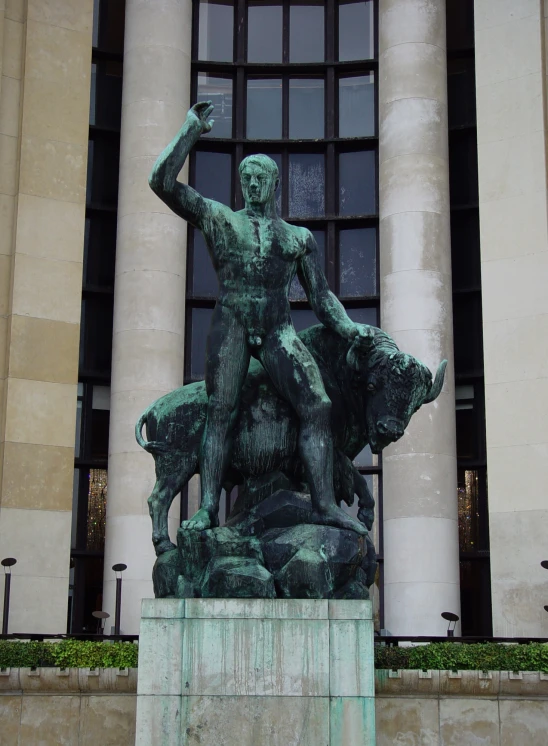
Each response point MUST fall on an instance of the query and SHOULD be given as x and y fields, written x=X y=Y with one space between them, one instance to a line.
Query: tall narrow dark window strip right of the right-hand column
x=467 y=322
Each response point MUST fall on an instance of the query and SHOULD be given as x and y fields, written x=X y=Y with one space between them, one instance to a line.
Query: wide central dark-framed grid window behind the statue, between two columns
x=296 y=81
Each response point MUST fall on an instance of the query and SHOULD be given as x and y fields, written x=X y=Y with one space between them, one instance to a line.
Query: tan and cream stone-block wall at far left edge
x=44 y=113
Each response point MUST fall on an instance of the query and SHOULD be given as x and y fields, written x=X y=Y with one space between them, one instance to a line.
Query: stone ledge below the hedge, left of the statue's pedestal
x=68 y=681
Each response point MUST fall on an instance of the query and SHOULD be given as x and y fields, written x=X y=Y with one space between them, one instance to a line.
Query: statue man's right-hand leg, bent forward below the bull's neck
x=295 y=374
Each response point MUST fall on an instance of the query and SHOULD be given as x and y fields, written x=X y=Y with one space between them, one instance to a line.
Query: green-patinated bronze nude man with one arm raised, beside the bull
x=256 y=254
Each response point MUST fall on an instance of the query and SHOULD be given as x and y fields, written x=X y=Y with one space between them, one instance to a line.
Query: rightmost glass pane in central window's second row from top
x=357 y=106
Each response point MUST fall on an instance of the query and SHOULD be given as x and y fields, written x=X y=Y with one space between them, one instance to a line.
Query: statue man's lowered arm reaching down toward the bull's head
x=325 y=304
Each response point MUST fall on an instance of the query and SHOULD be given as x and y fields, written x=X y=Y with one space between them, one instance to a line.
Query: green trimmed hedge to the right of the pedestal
x=487 y=656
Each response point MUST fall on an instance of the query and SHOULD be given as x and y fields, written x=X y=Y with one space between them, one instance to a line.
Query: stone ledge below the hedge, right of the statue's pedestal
x=499 y=684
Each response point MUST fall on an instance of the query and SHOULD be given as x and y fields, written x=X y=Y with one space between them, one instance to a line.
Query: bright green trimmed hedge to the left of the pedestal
x=68 y=654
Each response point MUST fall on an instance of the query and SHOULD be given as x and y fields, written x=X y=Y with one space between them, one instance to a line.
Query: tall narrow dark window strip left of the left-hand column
x=93 y=413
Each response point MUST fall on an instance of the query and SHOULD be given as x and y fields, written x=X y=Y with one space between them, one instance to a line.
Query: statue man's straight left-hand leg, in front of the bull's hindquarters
x=227 y=361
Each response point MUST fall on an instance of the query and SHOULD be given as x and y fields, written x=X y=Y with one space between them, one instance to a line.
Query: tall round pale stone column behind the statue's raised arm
x=149 y=287
